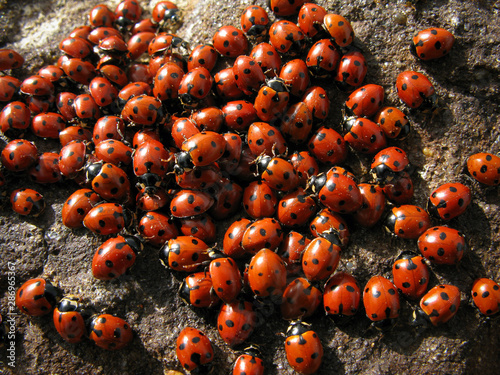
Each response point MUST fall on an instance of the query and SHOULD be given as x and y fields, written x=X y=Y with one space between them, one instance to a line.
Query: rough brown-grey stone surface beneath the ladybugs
x=468 y=83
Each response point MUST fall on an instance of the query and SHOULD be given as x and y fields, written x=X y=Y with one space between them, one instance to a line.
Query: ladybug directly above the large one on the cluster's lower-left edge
x=107 y=218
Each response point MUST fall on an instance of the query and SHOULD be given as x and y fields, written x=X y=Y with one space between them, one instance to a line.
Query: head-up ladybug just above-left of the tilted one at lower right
x=410 y=275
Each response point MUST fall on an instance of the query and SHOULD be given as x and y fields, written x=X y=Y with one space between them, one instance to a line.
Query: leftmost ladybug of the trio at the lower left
x=36 y=297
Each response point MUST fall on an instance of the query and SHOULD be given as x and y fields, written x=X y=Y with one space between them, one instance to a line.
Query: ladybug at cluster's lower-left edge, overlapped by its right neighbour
x=77 y=206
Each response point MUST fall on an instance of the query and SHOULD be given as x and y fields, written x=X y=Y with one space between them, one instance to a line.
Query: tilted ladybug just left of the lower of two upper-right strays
x=365 y=101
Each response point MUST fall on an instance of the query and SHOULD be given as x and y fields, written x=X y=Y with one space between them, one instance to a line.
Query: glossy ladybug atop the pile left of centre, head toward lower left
x=205 y=148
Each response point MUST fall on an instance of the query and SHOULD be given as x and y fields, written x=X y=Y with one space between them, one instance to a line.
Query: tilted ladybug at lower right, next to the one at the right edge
x=441 y=303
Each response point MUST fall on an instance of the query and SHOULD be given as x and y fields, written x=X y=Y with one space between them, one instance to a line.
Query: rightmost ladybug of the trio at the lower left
x=110 y=332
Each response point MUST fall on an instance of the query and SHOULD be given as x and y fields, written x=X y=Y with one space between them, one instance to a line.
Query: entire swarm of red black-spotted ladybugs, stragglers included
x=128 y=102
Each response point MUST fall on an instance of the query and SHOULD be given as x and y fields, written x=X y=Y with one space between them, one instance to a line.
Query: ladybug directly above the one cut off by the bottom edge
x=236 y=322
